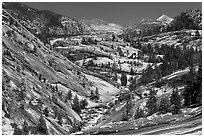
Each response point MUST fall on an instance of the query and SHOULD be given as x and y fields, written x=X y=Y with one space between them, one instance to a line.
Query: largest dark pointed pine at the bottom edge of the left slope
x=42 y=127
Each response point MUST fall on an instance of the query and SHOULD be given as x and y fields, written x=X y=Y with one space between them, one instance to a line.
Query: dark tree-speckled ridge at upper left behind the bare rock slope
x=43 y=22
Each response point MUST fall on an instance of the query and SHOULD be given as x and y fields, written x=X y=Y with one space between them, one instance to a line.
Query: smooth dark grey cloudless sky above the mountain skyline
x=121 y=13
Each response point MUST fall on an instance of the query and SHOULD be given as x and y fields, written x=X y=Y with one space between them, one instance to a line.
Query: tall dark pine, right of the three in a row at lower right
x=175 y=102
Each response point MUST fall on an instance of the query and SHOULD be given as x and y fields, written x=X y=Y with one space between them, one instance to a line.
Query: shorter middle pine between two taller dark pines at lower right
x=164 y=105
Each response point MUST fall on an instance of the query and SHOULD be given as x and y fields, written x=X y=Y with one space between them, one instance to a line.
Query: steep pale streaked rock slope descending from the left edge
x=36 y=81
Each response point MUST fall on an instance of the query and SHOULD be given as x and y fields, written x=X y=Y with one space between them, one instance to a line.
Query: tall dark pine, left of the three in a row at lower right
x=152 y=103
